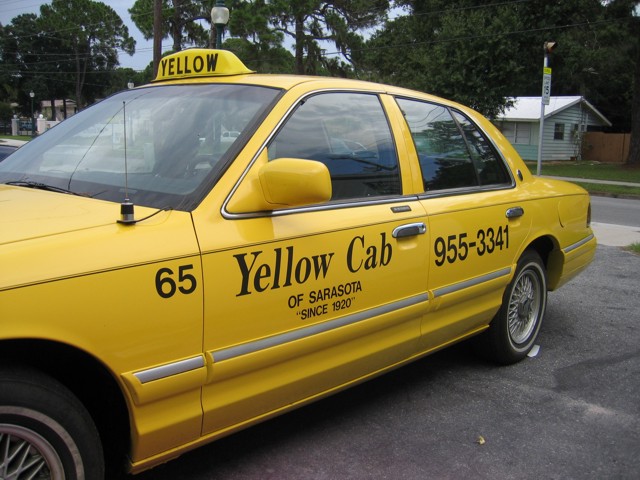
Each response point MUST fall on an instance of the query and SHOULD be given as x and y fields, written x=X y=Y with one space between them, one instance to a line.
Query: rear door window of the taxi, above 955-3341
x=452 y=152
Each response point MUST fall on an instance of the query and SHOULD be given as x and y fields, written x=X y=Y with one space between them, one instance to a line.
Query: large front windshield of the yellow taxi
x=172 y=141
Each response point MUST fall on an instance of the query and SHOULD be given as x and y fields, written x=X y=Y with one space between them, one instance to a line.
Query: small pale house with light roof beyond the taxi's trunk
x=565 y=121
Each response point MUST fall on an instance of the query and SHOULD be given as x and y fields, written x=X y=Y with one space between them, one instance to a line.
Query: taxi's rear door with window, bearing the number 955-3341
x=476 y=222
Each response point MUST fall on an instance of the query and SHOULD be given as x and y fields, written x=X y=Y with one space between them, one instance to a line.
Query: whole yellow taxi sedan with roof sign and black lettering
x=165 y=283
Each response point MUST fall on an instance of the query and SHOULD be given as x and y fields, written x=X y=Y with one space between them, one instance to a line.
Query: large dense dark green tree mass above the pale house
x=482 y=53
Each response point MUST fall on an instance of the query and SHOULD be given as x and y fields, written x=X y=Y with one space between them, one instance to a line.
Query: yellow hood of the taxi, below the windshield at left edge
x=27 y=213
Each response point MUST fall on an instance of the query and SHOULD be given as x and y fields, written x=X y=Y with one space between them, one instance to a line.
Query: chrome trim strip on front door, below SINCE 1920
x=306 y=332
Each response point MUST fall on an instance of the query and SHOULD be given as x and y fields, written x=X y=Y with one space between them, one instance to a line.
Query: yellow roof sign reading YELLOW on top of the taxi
x=199 y=62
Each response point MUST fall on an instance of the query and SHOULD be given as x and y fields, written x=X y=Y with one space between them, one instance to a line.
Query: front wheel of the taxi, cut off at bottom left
x=45 y=432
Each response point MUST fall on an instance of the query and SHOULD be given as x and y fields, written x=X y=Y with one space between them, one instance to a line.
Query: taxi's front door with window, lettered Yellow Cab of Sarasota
x=302 y=301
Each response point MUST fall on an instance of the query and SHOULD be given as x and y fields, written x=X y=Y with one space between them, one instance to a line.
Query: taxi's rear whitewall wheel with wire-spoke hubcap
x=514 y=329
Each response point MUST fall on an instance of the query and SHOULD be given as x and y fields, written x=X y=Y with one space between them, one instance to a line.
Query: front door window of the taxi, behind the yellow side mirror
x=349 y=133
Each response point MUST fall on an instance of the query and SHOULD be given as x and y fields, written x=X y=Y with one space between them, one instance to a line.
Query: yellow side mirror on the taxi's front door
x=283 y=183
